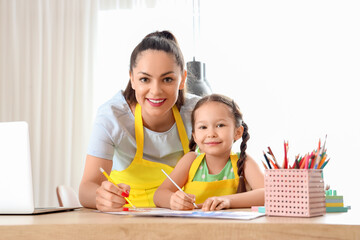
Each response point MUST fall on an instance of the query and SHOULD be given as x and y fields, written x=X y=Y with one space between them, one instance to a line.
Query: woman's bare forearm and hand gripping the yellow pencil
x=95 y=191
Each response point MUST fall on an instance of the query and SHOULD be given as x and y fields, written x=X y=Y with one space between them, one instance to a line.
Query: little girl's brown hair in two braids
x=238 y=118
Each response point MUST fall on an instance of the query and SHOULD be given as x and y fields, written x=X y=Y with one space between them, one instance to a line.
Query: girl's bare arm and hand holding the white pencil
x=167 y=195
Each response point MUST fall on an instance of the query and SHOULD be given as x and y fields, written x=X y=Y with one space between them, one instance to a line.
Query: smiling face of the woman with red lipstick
x=156 y=79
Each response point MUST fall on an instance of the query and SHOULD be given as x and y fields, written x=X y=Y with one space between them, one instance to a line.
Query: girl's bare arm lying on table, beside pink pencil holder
x=255 y=197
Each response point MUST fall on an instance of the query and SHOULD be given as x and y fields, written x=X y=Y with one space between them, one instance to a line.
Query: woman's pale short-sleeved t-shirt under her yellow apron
x=113 y=135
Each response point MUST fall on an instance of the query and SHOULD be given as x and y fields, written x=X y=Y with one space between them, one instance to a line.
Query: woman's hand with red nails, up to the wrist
x=109 y=198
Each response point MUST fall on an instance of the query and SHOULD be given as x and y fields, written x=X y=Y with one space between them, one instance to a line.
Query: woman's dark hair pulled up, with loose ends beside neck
x=161 y=41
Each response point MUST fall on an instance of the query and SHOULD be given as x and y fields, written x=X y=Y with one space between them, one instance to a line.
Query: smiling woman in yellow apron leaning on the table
x=140 y=130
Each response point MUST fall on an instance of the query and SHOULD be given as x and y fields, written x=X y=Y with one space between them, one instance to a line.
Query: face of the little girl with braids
x=214 y=128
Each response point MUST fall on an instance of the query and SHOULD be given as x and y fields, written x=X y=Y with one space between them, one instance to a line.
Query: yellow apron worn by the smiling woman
x=144 y=176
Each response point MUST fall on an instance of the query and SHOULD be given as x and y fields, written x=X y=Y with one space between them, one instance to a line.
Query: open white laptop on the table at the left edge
x=16 y=185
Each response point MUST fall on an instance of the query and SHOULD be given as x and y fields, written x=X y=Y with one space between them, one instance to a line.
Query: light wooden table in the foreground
x=87 y=224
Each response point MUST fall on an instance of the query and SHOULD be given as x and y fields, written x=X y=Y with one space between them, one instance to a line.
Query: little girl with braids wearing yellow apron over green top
x=214 y=177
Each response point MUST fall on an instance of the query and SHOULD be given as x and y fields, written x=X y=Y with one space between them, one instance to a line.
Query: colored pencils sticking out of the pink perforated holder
x=314 y=160
